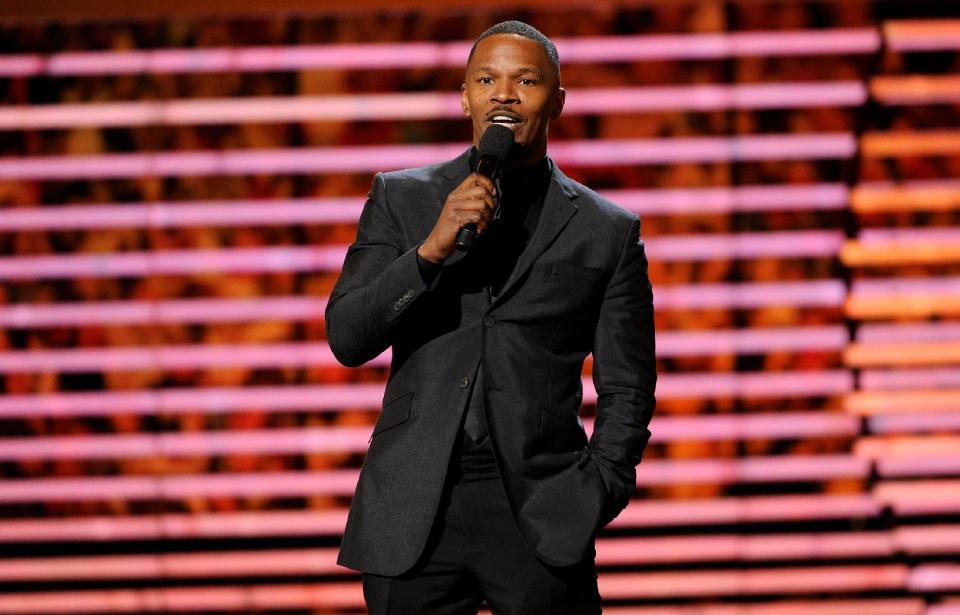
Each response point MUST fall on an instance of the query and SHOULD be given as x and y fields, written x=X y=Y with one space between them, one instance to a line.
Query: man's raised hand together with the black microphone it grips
x=469 y=207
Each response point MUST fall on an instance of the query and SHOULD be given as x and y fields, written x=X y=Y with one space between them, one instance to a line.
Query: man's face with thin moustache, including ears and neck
x=510 y=81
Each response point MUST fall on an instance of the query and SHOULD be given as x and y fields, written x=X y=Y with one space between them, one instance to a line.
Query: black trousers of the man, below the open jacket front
x=476 y=553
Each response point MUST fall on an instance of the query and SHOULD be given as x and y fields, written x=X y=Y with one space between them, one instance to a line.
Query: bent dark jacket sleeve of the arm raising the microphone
x=379 y=284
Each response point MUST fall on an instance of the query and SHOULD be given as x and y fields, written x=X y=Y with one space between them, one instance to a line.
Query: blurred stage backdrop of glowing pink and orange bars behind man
x=178 y=184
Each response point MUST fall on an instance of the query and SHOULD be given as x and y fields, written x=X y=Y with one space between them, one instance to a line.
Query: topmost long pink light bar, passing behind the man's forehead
x=394 y=55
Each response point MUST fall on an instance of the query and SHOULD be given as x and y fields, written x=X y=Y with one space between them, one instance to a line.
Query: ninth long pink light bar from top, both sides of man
x=356 y=439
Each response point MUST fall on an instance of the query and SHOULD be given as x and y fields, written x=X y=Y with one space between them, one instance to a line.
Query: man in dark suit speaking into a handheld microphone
x=480 y=482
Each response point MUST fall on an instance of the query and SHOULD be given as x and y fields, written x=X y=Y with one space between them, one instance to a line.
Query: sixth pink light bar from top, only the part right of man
x=746 y=295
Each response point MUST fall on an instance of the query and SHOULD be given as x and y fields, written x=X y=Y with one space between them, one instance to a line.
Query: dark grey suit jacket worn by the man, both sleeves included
x=580 y=286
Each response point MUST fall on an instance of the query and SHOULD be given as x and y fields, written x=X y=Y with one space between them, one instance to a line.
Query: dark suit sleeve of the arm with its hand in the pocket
x=624 y=374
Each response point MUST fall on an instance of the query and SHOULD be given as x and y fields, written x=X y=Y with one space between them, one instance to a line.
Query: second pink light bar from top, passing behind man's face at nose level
x=423 y=105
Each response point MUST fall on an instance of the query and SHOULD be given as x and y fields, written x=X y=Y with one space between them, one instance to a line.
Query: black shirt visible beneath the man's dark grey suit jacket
x=521 y=197
